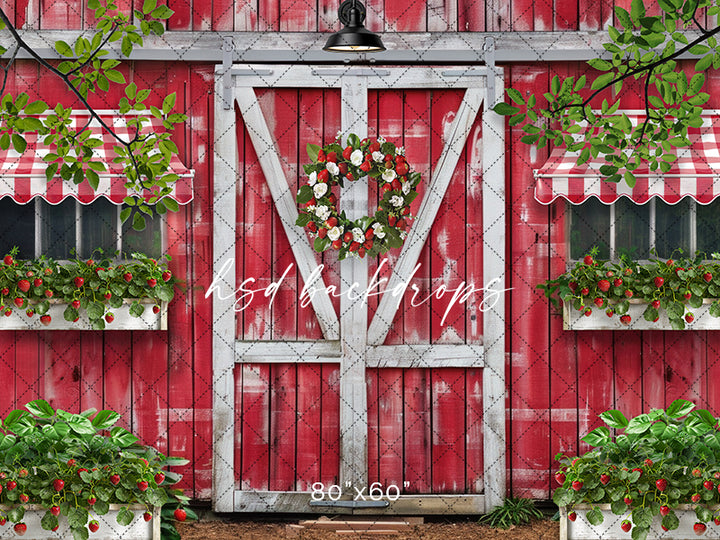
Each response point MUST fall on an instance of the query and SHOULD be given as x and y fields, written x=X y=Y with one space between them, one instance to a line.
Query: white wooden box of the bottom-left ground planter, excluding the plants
x=139 y=529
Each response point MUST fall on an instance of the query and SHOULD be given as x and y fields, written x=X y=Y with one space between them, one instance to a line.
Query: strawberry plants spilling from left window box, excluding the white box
x=93 y=286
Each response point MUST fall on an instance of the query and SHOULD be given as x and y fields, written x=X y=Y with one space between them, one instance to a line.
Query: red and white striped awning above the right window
x=695 y=174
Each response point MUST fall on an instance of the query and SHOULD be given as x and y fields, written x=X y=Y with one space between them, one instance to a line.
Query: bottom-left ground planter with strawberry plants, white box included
x=77 y=474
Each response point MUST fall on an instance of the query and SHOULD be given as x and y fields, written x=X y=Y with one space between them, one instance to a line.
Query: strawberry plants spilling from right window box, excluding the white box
x=673 y=285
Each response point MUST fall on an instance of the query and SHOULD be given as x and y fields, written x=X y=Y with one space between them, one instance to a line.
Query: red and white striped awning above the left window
x=22 y=176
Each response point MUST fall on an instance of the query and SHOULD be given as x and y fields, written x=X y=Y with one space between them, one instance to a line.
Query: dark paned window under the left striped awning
x=39 y=228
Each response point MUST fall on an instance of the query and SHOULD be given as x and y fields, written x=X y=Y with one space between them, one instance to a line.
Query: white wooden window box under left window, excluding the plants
x=18 y=320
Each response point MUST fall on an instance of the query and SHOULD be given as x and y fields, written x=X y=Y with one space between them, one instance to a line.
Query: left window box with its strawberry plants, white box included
x=92 y=294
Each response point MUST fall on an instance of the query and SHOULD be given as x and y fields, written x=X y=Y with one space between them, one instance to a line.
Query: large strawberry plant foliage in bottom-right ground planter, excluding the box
x=646 y=467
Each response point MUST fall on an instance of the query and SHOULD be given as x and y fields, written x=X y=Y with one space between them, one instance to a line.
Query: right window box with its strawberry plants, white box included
x=660 y=294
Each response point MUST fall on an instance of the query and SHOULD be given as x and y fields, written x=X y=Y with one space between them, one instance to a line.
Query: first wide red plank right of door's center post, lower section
x=390 y=427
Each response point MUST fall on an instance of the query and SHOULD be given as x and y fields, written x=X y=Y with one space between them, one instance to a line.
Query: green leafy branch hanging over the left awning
x=85 y=69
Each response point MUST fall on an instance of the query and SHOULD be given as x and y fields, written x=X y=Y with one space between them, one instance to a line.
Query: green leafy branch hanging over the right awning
x=578 y=114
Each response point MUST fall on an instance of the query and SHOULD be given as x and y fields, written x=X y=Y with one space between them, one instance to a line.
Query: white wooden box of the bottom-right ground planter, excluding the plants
x=610 y=529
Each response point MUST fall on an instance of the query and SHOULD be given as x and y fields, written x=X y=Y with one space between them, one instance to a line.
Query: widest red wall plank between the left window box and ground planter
x=59 y=363
